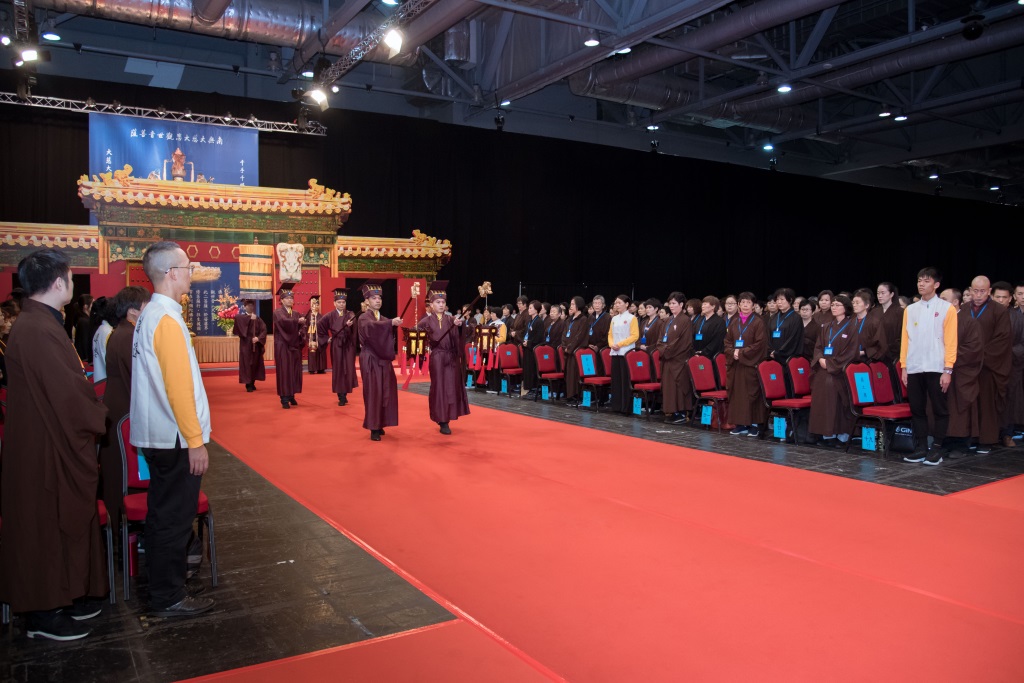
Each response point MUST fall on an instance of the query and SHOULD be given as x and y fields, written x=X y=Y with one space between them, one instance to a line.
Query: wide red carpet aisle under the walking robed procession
x=610 y=559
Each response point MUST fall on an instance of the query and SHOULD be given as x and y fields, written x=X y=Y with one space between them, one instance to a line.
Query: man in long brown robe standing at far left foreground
x=53 y=556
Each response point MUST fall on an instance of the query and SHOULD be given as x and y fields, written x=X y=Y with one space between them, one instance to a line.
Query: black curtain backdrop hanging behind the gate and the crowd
x=528 y=209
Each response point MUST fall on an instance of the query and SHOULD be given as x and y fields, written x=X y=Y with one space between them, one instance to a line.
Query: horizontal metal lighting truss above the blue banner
x=92 y=107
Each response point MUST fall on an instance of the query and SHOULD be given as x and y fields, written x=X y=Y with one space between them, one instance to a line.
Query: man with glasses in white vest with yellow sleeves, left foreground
x=170 y=424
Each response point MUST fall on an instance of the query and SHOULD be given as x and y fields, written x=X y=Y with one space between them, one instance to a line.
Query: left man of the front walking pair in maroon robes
x=380 y=390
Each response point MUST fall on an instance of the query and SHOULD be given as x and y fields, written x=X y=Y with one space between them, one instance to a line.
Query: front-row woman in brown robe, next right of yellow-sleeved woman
x=676 y=348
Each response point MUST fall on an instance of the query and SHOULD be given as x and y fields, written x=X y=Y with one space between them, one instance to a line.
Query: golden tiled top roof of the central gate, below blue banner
x=120 y=188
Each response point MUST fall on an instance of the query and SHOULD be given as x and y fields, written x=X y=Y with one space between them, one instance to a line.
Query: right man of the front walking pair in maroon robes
x=448 y=395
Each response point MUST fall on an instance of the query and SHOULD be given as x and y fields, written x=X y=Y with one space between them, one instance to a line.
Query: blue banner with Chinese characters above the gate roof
x=211 y=154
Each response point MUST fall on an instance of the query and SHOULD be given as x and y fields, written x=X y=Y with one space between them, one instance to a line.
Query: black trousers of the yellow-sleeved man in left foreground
x=174 y=501
